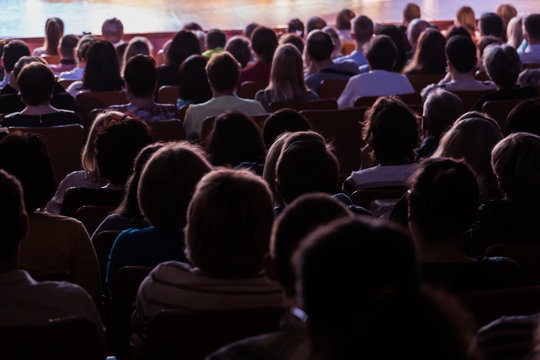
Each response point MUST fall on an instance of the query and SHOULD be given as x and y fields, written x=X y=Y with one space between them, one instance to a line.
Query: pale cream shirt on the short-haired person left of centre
x=196 y=114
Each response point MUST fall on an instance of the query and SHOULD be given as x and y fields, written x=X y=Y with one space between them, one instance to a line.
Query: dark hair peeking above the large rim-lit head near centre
x=283 y=120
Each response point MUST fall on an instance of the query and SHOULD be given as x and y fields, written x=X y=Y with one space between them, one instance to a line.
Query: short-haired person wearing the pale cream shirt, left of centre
x=223 y=72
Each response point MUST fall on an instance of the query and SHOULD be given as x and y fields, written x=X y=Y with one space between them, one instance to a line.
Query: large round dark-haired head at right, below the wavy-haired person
x=443 y=199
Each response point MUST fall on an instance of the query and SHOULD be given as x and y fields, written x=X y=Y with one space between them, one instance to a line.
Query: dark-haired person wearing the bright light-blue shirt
x=380 y=80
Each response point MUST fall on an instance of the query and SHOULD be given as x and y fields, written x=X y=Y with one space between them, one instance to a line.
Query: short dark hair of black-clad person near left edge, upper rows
x=36 y=83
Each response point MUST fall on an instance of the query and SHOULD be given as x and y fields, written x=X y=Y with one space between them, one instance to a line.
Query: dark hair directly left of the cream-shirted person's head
x=193 y=83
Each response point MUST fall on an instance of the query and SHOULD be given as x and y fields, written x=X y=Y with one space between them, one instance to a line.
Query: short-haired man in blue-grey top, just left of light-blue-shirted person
x=319 y=48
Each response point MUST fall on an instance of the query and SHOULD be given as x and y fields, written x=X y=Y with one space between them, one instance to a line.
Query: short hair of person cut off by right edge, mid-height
x=516 y=163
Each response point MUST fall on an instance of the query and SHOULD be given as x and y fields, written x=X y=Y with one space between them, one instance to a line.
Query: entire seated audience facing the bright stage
x=249 y=207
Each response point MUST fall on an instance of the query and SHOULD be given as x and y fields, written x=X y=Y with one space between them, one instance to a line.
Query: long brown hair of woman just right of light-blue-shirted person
x=429 y=56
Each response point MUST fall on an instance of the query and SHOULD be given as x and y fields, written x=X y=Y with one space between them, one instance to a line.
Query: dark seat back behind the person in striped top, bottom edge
x=175 y=334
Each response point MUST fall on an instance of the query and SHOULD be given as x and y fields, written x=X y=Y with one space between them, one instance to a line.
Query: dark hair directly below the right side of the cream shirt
x=235 y=139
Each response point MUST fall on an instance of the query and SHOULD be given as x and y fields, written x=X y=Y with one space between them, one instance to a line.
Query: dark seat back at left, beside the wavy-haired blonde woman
x=64 y=146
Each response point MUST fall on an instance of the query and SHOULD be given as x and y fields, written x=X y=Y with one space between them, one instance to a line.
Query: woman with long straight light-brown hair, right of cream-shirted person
x=286 y=79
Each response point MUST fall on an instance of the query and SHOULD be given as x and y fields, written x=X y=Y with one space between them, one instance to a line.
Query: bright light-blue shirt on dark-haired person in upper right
x=374 y=83
